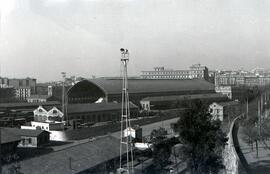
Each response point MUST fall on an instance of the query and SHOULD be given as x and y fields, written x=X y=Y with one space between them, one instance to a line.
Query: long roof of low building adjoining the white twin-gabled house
x=94 y=107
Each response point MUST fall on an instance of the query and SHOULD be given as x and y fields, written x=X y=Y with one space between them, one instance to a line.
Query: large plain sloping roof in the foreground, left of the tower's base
x=82 y=156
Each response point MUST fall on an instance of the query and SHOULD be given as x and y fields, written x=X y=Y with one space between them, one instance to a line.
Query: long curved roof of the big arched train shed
x=114 y=86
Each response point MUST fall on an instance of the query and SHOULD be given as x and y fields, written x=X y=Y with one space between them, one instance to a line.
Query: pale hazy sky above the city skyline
x=42 y=38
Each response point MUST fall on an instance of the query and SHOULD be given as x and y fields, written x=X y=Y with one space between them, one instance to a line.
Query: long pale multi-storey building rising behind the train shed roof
x=196 y=71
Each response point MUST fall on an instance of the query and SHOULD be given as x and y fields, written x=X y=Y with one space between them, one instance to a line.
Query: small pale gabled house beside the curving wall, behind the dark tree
x=225 y=111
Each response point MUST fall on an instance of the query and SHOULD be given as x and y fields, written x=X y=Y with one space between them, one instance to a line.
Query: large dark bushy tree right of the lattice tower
x=202 y=138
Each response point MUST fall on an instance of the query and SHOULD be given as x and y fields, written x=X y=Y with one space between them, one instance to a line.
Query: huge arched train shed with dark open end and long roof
x=88 y=91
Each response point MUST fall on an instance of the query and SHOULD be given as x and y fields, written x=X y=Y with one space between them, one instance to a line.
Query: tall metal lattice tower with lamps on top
x=126 y=130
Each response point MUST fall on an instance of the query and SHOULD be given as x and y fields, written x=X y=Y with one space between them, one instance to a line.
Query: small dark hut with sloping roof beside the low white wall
x=30 y=138
